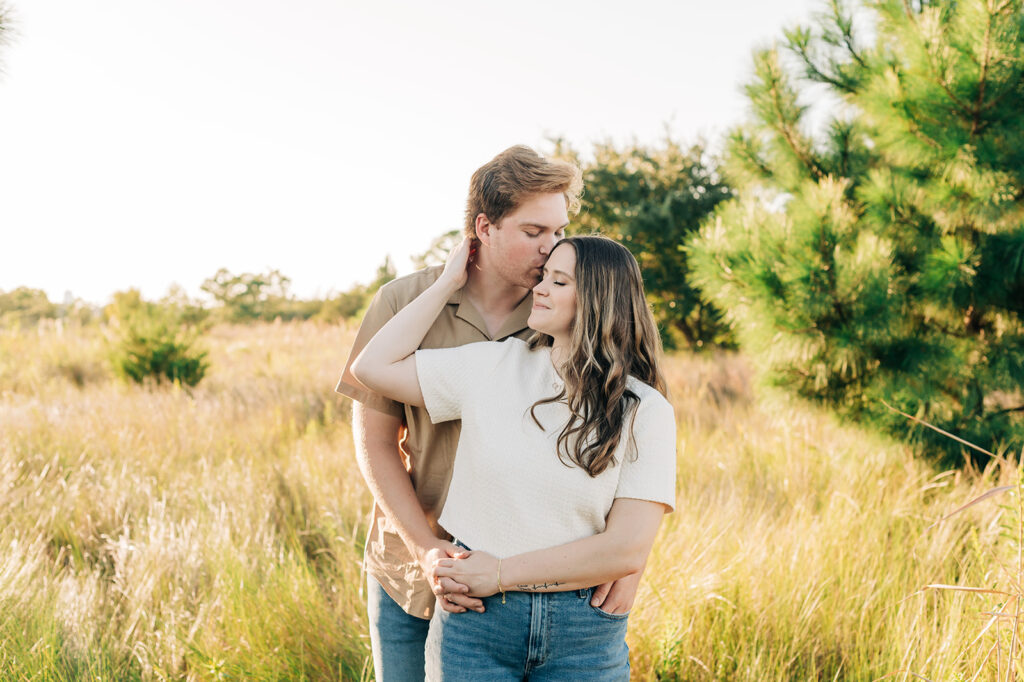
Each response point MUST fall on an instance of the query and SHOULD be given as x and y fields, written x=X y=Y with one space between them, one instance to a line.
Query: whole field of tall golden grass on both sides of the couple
x=152 y=533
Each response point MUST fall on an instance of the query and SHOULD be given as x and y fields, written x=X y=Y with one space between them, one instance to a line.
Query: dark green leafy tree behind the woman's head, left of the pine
x=652 y=199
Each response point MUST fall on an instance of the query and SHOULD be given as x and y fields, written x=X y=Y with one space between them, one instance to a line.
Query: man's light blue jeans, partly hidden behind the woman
x=397 y=637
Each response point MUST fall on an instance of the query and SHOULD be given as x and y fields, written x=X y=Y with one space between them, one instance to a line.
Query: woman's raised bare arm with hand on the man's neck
x=387 y=365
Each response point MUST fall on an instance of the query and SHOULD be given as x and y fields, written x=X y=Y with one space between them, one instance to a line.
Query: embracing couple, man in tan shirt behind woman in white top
x=511 y=423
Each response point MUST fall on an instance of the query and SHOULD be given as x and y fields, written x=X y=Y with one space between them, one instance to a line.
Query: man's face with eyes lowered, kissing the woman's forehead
x=522 y=242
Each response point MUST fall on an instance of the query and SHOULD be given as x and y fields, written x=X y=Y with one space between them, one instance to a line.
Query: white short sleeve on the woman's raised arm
x=449 y=377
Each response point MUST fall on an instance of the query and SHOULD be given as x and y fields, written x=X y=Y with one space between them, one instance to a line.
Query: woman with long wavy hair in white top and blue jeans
x=565 y=467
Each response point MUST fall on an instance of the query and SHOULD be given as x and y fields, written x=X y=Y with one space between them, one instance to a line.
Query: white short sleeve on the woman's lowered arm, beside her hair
x=649 y=473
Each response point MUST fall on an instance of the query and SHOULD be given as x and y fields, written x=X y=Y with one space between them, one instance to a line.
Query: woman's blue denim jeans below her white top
x=551 y=636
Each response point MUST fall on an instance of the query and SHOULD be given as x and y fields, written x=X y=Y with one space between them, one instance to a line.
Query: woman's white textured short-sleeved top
x=510 y=493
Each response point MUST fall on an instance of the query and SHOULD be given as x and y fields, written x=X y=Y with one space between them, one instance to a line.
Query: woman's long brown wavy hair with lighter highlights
x=614 y=337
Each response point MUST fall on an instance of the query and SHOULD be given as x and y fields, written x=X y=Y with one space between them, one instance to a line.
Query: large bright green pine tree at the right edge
x=884 y=263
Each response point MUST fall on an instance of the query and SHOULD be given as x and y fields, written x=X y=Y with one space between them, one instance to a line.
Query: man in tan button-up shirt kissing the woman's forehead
x=517 y=211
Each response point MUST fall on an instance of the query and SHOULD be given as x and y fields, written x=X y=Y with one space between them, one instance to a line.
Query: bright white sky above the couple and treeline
x=145 y=143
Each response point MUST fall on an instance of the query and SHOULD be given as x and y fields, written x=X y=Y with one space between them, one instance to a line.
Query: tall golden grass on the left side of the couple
x=153 y=534
